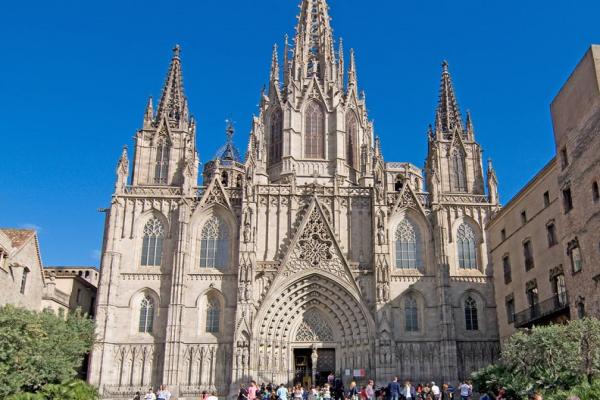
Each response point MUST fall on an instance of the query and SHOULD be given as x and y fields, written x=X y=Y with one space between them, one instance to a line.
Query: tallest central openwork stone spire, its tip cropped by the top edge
x=314 y=54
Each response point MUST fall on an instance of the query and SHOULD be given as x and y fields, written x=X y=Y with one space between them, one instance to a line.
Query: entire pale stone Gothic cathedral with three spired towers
x=310 y=254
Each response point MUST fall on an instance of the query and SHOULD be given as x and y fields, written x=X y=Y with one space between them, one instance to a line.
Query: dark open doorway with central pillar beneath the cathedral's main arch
x=312 y=364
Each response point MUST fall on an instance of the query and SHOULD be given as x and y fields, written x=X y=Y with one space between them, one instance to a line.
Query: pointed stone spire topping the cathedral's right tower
x=447 y=117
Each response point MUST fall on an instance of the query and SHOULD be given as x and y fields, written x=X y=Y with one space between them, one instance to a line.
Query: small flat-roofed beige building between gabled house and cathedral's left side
x=71 y=288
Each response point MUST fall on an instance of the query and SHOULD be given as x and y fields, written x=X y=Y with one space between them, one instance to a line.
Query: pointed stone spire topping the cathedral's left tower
x=173 y=105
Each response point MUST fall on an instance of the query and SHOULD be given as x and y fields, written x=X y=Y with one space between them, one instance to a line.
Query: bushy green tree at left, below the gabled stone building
x=40 y=348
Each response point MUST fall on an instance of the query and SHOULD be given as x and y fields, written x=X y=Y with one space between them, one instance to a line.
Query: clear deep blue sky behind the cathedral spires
x=75 y=76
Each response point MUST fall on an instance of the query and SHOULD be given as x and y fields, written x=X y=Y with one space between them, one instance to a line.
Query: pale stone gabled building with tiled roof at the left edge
x=21 y=277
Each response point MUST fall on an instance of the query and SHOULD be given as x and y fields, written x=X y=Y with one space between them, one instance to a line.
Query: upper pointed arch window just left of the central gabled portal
x=214 y=244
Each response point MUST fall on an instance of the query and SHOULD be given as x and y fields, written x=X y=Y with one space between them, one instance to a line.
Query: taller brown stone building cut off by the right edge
x=576 y=119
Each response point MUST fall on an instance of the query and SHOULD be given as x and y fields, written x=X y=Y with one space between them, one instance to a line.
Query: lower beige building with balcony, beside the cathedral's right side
x=527 y=255
